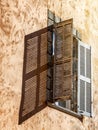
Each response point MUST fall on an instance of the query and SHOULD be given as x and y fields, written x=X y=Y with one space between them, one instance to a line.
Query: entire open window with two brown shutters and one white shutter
x=56 y=72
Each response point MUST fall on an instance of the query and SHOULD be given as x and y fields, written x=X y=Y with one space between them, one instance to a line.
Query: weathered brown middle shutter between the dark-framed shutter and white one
x=63 y=60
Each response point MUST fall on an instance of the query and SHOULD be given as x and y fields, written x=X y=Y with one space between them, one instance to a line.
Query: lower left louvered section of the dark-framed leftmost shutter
x=30 y=93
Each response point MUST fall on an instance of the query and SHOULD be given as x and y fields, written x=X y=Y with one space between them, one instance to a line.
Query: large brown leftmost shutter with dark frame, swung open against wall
x=34 y=74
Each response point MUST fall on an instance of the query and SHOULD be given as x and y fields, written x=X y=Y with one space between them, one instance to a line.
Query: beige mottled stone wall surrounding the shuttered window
x=21 y=17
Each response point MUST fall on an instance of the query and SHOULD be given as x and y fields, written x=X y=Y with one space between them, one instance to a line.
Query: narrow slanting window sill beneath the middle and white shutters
x=65 y=110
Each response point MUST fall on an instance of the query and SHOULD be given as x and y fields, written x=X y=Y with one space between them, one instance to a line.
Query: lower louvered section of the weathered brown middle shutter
x=63 y=80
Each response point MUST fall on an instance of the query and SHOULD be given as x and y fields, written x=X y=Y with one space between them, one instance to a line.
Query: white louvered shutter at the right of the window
x=84 y=79
